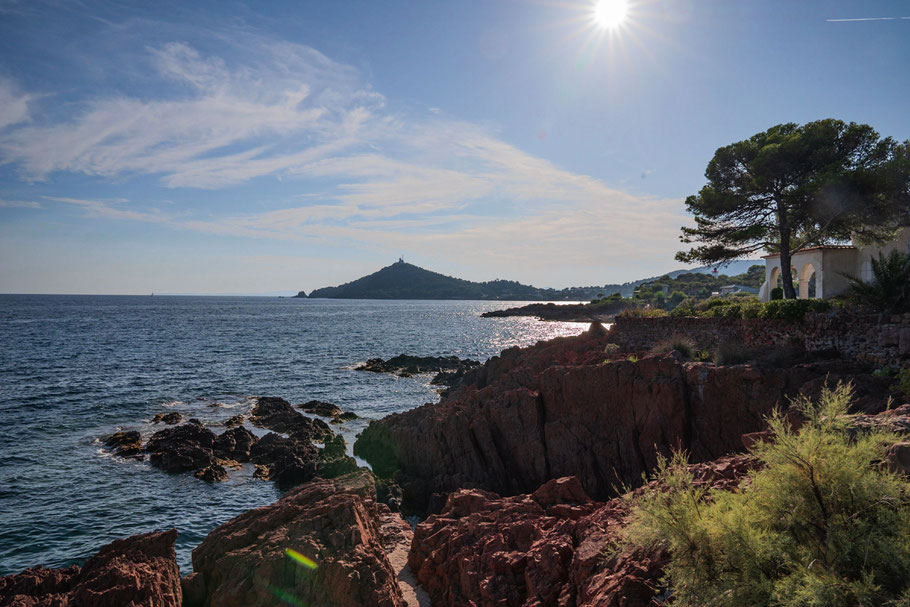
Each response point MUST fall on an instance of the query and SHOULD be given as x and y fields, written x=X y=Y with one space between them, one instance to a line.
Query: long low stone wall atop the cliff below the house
x=879 y=340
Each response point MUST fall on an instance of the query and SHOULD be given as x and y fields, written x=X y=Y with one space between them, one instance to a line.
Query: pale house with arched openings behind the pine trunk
x=822 y=271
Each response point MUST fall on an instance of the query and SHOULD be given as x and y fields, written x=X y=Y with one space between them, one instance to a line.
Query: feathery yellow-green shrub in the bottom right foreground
x=822 y=522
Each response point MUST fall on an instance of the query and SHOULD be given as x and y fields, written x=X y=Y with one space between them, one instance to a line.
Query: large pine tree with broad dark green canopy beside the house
x=797 y=186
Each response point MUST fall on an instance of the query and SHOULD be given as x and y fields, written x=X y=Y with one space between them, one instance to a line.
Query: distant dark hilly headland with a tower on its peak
x=403 y=280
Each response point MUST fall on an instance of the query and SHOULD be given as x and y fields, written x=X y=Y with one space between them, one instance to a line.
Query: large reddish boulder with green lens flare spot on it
x=321 y=544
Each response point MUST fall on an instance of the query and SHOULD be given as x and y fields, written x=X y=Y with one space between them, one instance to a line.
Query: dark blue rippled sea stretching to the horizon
x=74 y=368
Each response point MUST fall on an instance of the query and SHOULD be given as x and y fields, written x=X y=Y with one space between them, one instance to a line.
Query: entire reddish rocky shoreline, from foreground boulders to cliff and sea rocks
x=514 y=476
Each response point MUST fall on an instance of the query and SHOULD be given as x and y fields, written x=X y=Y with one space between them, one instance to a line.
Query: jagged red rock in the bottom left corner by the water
x=140 y=571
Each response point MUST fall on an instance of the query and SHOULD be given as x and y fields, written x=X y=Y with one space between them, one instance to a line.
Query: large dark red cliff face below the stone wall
x=559 y=409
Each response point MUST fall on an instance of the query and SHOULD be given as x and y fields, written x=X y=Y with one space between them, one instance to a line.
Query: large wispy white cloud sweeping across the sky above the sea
x=353 y=170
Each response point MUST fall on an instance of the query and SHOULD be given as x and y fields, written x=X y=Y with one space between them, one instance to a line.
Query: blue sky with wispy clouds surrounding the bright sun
x=271 y=147
